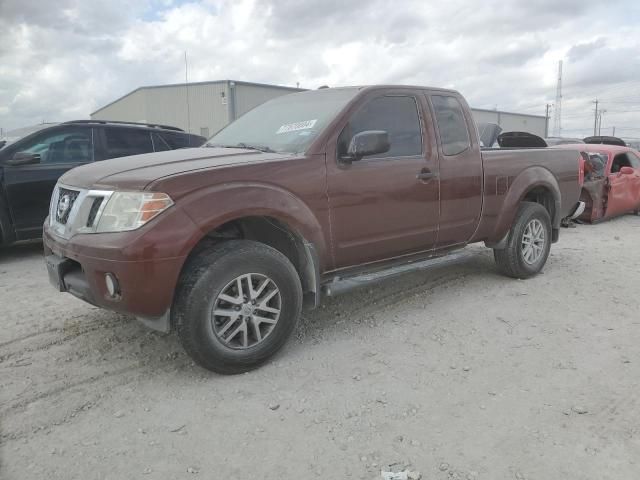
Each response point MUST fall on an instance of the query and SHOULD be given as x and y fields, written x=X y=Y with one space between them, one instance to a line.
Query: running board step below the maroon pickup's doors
x=341 y=285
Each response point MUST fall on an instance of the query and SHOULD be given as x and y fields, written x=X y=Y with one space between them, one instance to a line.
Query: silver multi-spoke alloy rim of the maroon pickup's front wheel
x=246 y=311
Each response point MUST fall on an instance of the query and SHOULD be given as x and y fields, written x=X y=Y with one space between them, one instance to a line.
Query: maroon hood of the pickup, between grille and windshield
x=138 y=171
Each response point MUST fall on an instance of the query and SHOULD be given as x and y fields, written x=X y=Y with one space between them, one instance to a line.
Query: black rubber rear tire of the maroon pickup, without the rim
x=511 y=260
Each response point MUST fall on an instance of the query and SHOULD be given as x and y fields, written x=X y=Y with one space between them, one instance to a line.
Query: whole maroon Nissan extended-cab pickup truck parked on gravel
x=304 y=196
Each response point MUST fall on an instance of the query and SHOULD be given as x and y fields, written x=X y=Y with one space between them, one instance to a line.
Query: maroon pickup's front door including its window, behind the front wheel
x=385 y=205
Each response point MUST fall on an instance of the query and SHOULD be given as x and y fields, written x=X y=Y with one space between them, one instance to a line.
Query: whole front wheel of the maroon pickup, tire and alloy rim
x=236 y=305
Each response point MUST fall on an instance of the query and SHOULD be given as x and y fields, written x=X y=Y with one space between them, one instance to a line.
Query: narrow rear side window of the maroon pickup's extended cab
x=452 y=127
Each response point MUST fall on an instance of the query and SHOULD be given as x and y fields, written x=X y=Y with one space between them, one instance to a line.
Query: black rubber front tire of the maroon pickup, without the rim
x=206 y=276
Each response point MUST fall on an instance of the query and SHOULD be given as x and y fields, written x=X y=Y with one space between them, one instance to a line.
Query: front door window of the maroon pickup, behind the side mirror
x=396 y=115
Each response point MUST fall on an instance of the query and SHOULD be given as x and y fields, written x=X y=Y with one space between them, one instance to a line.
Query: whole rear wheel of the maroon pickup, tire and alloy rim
x=528 y=243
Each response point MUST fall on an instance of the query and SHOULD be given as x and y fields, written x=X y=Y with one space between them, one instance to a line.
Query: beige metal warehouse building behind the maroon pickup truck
x=204 y=108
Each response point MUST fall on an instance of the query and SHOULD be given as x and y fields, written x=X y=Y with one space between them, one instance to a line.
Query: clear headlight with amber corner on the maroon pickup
x=130 y=210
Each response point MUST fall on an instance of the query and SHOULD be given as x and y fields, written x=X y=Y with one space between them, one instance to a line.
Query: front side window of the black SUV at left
x=64 y=145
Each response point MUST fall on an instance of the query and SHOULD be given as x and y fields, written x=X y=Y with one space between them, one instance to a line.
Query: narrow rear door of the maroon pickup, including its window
x=460 y=169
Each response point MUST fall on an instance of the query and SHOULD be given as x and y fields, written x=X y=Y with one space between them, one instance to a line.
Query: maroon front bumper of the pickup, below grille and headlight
x=146 y=263
